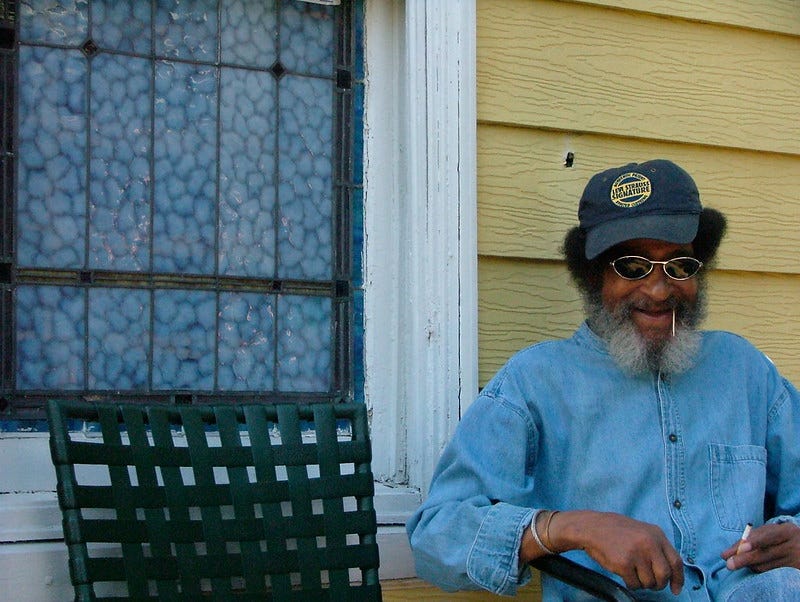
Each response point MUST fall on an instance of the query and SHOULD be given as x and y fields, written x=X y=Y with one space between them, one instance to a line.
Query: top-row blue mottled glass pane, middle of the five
x=186 y=29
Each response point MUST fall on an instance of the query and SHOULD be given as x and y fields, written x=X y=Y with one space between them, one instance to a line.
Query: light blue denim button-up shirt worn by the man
x=561 y=427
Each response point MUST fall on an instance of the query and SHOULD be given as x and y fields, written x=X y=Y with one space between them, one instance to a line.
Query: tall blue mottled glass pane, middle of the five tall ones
x=185 y=168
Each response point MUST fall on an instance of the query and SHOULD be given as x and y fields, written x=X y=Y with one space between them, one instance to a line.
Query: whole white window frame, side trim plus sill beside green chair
x=420 y=258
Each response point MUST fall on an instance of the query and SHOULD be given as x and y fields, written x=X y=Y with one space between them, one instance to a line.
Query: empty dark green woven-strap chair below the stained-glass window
x=223 y=502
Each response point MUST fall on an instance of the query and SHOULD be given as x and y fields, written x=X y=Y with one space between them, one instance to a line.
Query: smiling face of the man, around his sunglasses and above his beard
x=649 y=303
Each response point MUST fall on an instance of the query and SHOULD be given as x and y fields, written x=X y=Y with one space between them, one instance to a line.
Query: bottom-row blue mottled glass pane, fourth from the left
x=246 y=342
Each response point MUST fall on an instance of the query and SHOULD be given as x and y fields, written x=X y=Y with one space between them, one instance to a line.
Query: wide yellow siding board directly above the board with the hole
x=585 y=68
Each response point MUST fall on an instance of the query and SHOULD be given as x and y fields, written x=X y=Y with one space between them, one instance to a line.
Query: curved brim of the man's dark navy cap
x=679 y=229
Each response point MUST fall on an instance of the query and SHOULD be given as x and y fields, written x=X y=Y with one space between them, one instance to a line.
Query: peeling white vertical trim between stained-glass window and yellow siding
x=420 y=230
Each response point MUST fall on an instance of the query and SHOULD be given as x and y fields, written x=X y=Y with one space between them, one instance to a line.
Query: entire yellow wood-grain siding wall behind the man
x=714 y=87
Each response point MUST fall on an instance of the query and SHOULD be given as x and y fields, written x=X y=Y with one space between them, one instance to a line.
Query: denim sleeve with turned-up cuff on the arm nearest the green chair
x=467 y=533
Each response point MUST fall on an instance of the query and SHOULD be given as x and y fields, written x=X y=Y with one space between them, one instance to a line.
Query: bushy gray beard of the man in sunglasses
x=635 y=354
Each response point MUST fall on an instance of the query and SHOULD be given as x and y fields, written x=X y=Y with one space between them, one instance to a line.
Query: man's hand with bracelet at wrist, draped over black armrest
x=638 y=552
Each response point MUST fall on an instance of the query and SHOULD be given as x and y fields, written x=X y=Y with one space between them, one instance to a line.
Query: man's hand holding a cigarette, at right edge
x=767 y=547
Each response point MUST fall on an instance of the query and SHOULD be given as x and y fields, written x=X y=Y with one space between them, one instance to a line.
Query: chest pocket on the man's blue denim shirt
x=738 y=484
